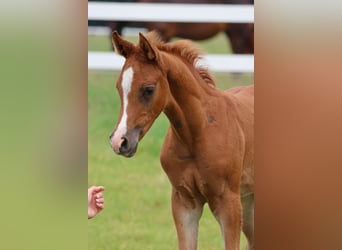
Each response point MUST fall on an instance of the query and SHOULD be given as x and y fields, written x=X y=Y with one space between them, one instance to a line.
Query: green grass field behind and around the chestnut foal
x=138 y=208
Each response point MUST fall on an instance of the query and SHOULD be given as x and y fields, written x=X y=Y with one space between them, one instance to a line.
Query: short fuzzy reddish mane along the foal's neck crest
x=186 y=50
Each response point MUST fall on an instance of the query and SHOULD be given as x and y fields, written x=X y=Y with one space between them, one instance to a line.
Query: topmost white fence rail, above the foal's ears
x=214 y=13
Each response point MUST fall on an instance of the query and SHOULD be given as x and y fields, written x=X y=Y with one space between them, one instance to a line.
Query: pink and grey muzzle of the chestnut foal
x=125 y=144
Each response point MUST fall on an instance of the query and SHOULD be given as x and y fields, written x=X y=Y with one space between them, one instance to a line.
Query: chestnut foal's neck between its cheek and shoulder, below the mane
x=188 y=96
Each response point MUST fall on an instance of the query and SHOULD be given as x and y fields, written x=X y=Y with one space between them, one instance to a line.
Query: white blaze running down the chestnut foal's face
x=126 y=84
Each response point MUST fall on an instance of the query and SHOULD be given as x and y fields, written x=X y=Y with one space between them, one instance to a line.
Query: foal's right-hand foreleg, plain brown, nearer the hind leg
x=228 y=212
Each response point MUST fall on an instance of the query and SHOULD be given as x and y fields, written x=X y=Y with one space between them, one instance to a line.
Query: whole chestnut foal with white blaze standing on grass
x=208 y=150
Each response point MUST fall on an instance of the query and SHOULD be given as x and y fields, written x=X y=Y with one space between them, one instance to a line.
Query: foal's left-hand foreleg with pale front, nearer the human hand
x=186 y=214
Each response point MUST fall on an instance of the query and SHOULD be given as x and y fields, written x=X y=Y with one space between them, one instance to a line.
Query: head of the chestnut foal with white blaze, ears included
x=142 y=86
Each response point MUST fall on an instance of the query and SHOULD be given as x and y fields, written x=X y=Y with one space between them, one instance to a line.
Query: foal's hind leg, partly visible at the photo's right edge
x=248 y=220
